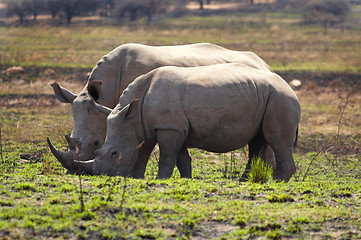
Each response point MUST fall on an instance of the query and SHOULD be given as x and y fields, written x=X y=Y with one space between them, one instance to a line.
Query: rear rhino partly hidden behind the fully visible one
x=117 y=70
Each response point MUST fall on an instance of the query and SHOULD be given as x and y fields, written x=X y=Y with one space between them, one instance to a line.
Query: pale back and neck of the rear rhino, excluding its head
x=124 y=64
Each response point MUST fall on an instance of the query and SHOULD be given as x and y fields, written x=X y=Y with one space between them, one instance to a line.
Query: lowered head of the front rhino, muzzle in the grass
x=119 y=153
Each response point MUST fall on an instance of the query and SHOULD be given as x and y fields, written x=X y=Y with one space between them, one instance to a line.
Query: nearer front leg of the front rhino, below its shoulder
x=170 y=143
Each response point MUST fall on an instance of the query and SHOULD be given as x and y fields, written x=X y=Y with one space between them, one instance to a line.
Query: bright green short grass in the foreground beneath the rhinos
x=209 y=205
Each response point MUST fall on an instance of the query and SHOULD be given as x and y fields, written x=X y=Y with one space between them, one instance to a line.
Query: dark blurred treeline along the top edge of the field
x=325 y=12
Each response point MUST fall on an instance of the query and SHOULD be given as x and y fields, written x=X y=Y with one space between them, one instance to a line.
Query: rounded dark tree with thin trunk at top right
x=326 y=12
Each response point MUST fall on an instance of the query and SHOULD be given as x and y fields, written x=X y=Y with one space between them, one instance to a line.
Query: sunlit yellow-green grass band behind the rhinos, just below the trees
x=279 y=38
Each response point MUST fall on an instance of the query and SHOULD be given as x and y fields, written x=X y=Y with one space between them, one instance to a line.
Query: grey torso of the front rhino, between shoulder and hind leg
x=212 y=105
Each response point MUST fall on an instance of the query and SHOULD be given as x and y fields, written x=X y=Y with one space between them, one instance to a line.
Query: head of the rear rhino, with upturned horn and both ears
x=89 y=124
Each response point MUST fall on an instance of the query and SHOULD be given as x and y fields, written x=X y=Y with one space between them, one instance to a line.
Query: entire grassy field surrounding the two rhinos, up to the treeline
x=38 y=200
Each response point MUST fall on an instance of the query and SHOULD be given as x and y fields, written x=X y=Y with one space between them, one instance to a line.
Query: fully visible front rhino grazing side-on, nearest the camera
x=217 y=108
